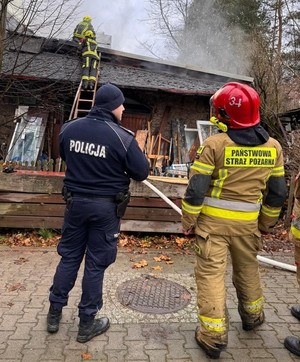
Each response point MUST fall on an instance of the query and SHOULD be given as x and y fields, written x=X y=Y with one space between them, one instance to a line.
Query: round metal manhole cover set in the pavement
x=149 y=294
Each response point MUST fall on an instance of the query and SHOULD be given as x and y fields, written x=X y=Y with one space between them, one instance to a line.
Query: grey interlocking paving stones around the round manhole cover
x=25 y=277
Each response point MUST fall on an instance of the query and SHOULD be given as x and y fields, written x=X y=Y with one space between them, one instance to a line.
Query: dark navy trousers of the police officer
x=91 y=229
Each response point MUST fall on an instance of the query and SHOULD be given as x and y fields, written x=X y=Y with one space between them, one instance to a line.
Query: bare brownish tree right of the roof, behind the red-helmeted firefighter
x=275 y=72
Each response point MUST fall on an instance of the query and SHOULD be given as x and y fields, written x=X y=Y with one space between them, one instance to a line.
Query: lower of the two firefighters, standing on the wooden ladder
x=90 y=59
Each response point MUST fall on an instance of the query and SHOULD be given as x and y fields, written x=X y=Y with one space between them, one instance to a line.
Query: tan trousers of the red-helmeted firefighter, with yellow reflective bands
x=210 y=271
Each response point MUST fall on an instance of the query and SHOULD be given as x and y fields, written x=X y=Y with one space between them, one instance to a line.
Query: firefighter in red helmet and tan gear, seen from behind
x=236 y=190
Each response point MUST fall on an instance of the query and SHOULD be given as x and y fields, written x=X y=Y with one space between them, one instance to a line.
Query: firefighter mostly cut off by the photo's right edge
x=293 y=343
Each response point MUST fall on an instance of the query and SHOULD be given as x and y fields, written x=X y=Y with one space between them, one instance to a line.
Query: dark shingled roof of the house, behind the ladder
x=56 y=59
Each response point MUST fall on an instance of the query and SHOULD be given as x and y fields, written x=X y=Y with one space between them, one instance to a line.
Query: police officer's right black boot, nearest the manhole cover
x=91 y=329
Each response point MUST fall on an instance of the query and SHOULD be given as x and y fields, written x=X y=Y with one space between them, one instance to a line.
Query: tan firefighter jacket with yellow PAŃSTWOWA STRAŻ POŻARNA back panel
x=234 y=189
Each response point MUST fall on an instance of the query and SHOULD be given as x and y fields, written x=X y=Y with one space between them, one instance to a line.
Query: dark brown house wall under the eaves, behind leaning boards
x=158 y=108
